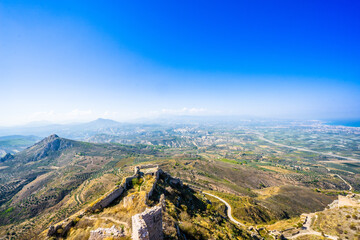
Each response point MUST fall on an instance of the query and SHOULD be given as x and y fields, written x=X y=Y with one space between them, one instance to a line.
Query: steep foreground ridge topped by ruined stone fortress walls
x=151 y=204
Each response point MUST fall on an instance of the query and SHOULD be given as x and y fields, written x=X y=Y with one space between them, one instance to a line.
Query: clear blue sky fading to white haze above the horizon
x=78 y=60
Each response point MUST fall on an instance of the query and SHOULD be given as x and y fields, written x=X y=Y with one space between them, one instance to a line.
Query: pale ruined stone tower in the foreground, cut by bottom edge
x=148 y=225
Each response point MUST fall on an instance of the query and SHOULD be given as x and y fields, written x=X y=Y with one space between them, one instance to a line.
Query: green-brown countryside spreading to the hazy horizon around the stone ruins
x=253 y=187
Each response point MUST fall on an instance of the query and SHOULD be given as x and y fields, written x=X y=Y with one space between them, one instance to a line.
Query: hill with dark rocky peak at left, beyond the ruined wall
x=43 y=177
